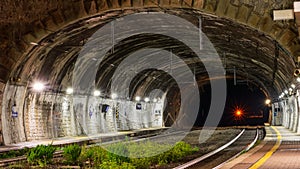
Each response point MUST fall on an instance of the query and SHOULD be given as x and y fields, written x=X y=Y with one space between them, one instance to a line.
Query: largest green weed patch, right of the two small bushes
x=135 y=155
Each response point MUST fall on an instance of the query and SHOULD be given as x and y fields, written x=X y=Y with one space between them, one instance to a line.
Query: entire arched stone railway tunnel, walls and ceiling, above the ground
x=71 y=68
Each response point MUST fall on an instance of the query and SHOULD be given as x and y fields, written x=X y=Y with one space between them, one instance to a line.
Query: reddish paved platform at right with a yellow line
x=279 y=150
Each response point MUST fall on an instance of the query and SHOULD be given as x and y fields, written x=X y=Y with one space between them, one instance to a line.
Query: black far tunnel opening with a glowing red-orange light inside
x=245 y=105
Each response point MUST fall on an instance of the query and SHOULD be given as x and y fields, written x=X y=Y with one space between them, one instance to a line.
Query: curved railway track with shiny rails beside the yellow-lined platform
x=243 y=142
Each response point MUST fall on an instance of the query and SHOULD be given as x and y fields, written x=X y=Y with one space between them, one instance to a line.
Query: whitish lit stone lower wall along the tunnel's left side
x=49 y=115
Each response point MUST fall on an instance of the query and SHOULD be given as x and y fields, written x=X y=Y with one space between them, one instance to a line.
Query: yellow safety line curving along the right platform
x=268 y=154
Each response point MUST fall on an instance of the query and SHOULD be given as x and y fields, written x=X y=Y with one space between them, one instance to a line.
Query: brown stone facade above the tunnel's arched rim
x=33 y=21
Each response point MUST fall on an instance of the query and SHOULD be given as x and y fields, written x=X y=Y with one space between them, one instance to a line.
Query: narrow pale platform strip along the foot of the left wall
x=88 y=139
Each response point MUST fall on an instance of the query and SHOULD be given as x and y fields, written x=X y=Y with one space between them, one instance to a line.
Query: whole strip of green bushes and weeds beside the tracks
x=126 y=155
